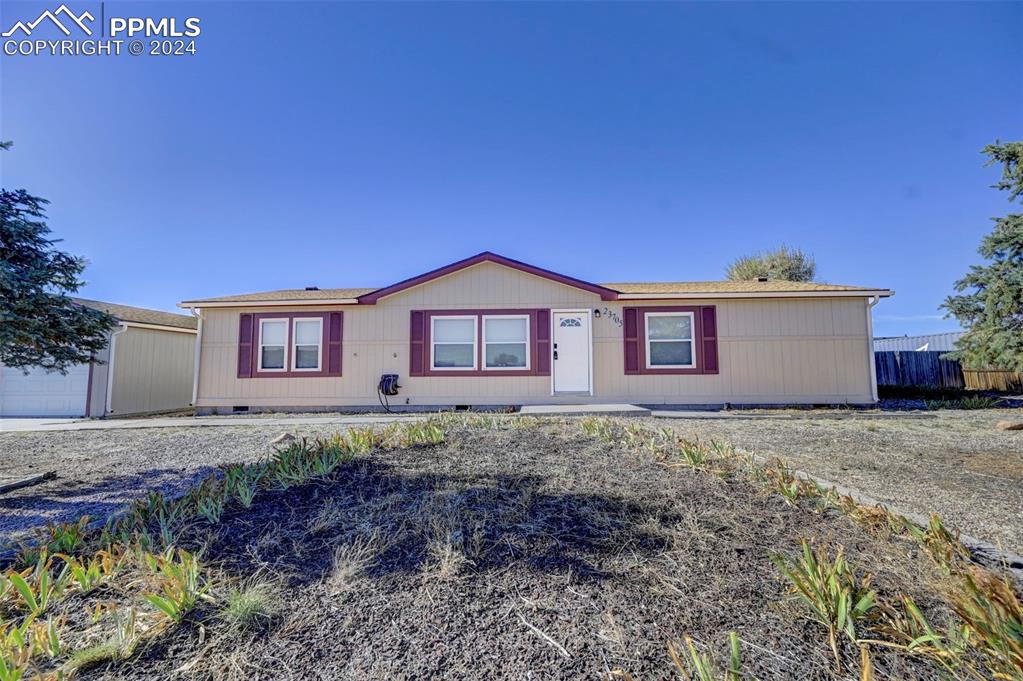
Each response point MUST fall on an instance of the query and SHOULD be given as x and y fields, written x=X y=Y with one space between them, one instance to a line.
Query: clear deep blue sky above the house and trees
x=355 y=145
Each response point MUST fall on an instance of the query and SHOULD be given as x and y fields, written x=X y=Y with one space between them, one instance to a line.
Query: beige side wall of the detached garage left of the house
x=153 y=372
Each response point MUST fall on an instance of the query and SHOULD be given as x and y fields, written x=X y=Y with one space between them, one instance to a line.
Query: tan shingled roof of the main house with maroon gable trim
x=607 y=292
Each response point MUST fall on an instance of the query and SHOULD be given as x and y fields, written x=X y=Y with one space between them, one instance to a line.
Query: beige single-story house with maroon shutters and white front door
x=493 y=332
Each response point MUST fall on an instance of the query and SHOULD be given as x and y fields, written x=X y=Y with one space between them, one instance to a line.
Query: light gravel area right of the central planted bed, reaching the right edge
x=955 y=464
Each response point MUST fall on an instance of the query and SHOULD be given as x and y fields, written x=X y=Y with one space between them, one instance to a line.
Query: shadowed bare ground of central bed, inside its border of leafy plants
x=527 y=554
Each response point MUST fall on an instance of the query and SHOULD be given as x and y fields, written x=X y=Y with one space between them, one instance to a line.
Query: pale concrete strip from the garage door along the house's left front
x=42 y=425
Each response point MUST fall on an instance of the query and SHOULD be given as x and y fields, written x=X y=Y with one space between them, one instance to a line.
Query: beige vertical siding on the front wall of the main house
x=806 y=350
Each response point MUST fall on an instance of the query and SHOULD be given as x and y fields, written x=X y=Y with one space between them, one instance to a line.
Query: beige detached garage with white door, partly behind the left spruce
x=148 y=366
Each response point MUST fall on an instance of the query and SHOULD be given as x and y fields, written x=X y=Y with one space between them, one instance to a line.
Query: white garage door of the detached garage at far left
x=42 y=394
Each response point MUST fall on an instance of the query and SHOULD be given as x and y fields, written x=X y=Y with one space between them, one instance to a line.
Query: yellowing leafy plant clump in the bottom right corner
x=993 y=616
